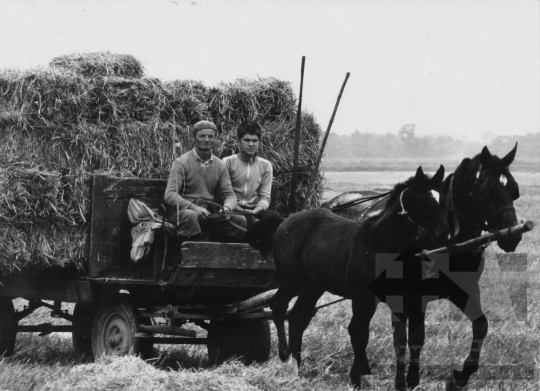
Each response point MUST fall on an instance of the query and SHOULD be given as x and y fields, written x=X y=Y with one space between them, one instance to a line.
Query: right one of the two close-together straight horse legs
x=417 y=336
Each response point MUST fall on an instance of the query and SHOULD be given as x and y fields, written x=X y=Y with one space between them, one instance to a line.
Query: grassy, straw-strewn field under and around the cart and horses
x=510 y=356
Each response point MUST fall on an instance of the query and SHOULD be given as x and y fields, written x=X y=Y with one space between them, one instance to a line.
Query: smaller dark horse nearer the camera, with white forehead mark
x=316 y=251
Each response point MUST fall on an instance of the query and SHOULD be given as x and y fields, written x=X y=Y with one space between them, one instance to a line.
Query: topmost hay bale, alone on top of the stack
x=100 y=64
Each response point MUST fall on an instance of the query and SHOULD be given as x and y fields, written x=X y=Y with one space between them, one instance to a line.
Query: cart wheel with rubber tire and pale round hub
x=114 y=330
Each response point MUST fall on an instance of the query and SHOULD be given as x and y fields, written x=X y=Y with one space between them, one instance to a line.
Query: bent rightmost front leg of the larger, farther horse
x=472 y=308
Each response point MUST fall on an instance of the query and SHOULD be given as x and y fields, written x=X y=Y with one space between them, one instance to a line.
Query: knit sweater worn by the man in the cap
x=190 y=178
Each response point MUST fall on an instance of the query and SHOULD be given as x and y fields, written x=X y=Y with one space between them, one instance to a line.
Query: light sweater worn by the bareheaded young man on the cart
x=251 y=180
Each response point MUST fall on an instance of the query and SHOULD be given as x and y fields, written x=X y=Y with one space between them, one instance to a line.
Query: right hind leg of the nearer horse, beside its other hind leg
x=299 y=318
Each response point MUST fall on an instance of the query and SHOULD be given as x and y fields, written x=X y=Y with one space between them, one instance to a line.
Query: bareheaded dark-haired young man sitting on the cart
x=251 y=176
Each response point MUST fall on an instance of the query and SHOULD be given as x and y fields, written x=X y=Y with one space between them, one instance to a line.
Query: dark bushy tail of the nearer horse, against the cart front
x=261 y=234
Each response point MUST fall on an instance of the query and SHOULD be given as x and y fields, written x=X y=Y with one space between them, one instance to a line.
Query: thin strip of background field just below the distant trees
x=411 y=164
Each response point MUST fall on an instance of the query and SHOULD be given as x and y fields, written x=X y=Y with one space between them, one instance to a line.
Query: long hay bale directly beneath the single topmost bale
x=48 y=97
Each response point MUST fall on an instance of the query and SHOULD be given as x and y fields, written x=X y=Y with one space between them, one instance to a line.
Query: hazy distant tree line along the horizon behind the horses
x=406 y=143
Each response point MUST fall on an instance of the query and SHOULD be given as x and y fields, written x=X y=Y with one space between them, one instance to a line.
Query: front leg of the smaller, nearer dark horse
x=363 y=310
